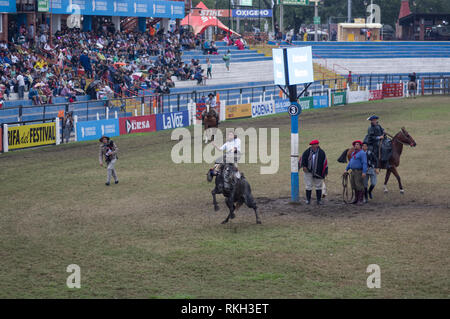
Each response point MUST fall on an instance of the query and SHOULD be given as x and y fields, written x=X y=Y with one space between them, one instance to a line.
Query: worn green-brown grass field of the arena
x=156 y=235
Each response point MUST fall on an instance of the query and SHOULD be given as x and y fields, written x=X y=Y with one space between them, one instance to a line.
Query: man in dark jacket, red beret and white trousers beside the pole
x=315 y=168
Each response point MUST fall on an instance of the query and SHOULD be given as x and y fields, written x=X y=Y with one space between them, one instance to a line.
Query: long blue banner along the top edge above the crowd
x=126 y=8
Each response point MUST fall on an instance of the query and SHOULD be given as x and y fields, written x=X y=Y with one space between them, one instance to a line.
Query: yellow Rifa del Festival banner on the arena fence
x=31 y=135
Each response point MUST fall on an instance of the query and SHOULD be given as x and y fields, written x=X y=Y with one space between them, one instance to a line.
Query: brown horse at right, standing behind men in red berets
x=400 y=139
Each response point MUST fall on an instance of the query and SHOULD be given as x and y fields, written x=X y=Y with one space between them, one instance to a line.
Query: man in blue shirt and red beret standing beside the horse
x=358 y=165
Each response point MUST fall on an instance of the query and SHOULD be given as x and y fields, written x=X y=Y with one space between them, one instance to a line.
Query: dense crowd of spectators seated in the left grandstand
x=103 y=64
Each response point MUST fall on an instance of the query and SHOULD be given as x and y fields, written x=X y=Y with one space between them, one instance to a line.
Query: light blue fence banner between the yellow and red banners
x=93 y=130
